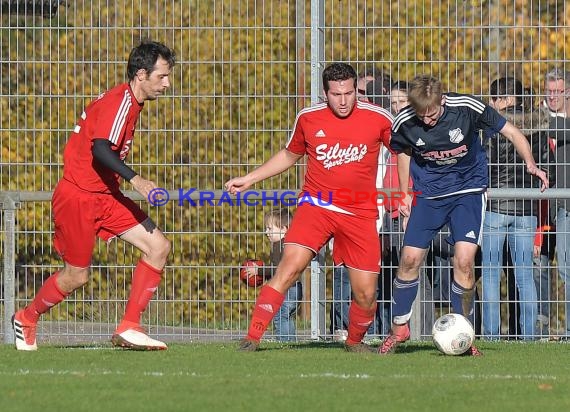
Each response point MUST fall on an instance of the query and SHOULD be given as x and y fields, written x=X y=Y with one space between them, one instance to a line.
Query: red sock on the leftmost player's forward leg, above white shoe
x=145 y=281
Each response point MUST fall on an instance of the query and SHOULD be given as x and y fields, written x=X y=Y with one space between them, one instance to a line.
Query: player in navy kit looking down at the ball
x=437 y=138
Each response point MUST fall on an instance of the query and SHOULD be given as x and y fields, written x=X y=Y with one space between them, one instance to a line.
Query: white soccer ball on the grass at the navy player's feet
x=453 y=334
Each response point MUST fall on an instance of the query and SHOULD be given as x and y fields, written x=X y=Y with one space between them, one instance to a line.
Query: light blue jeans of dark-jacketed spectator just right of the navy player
x=519 y=232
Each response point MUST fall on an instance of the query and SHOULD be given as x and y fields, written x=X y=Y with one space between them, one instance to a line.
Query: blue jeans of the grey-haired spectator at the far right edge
x=563 y=257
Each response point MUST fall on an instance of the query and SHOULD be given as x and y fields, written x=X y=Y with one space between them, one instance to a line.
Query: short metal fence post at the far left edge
x=8 y=205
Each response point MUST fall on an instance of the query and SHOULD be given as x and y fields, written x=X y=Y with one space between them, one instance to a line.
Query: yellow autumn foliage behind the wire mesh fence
x=236 y=90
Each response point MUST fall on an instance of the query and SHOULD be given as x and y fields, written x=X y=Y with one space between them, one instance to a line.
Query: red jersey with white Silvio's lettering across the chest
x=342 y=155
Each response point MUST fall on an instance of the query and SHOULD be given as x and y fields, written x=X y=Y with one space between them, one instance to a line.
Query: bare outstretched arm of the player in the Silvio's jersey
x=278 y=163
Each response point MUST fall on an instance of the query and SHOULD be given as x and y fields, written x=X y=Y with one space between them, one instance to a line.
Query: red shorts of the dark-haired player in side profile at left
x=80 y=216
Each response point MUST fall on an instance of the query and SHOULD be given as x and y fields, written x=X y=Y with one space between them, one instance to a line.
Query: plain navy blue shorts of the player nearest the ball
x=463 y=213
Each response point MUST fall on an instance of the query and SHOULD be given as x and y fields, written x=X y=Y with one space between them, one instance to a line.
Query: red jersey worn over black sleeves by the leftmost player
x=113 y=116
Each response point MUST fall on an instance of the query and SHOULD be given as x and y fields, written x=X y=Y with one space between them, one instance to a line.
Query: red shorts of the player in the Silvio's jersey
x=356 y=241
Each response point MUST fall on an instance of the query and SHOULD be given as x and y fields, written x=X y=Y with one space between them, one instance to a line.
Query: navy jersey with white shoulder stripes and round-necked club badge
x=448 y=158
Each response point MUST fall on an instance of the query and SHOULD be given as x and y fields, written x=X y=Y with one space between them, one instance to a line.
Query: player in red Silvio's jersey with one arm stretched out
x=342 y=139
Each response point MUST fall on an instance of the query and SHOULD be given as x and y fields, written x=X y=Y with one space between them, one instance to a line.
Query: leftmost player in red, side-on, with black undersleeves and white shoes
x=87 y=201
